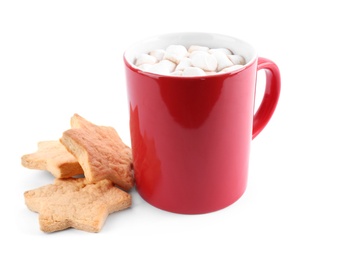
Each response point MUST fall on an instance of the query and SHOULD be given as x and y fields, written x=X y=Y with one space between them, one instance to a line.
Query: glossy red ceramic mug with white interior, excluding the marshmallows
x=190 y=136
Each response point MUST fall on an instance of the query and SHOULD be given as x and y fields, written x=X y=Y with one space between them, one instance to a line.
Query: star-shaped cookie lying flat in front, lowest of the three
x=75 y=203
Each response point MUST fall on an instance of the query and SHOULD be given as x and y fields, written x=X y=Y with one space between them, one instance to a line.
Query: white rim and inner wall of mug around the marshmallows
x=196 y=38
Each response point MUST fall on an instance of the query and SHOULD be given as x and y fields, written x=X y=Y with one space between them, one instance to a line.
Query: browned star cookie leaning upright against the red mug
x=100 y=152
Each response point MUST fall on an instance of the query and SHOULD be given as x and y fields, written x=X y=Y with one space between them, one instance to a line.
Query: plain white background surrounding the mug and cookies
x=58 y=58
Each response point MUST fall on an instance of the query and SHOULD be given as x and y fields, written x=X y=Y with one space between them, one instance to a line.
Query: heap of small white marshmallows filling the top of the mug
x=197 y=60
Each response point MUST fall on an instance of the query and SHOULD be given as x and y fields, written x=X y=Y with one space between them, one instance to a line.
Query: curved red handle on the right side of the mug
x=271 y=95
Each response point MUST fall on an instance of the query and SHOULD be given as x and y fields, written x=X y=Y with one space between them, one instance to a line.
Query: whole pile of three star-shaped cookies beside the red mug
x=99 y=155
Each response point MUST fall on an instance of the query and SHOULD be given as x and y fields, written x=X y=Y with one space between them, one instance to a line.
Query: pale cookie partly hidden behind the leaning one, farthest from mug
x=52 y=156
